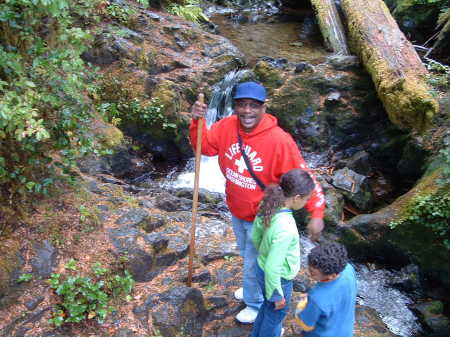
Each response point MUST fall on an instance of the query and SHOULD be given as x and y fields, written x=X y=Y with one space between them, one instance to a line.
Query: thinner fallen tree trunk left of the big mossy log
x=331 y=26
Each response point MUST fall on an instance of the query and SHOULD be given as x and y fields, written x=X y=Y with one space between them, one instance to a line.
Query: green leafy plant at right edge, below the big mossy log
x=431 y=211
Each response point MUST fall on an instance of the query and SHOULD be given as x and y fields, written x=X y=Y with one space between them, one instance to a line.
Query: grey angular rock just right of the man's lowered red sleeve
x=354 y=187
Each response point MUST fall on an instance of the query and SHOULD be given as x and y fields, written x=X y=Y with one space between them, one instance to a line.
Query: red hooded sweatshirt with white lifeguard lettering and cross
x=271 y=152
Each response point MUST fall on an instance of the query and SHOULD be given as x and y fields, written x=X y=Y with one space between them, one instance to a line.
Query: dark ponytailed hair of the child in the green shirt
x=294 y=182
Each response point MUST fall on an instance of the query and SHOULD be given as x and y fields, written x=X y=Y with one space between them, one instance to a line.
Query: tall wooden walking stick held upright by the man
x=198 y=152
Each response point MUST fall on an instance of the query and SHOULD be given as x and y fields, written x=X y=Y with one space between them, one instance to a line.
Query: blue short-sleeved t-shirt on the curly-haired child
x=331 y=307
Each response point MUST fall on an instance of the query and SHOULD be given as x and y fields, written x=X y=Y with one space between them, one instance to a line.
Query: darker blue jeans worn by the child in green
x=268 y=322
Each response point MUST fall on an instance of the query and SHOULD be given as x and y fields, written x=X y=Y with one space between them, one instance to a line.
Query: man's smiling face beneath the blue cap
x=249 y=112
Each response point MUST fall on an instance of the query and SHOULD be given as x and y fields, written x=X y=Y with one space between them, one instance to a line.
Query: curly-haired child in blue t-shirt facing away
x=329 y=309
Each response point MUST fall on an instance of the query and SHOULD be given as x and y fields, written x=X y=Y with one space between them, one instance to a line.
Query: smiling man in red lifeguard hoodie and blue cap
x=251 y=137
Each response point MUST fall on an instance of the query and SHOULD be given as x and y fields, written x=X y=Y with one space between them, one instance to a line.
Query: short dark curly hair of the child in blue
x=328 y=257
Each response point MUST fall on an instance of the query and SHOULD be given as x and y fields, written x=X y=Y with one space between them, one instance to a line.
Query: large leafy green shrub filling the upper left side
x=44 y=115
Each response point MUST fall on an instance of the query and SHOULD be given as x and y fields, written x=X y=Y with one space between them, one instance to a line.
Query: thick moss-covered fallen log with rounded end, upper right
x=391 y=60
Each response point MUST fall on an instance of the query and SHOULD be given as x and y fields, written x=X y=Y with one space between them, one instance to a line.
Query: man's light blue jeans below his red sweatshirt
x=253 y=296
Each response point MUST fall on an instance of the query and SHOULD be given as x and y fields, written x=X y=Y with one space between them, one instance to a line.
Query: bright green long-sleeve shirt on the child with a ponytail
x=278 y=249
